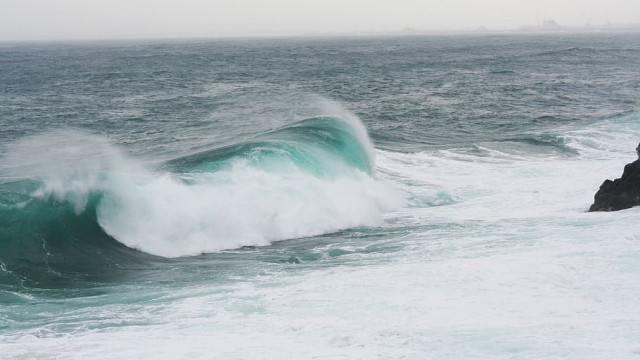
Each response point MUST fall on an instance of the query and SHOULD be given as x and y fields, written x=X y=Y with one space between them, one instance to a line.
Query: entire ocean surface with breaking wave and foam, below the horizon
x=365 y=198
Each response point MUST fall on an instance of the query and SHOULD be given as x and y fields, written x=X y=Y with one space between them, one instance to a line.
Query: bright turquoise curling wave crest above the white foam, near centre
x=322 y=146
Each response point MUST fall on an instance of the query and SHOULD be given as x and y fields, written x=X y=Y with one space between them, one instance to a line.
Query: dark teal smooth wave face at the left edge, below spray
x=46 y=243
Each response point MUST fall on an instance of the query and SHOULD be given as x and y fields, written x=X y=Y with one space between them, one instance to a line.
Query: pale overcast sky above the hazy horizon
x=115 y=19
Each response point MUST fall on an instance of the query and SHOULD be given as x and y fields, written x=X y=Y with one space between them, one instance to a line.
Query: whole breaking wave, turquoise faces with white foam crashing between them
x=57 y=229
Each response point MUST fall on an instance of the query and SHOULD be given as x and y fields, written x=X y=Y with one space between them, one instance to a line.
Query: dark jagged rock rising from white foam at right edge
x=621 y=193
